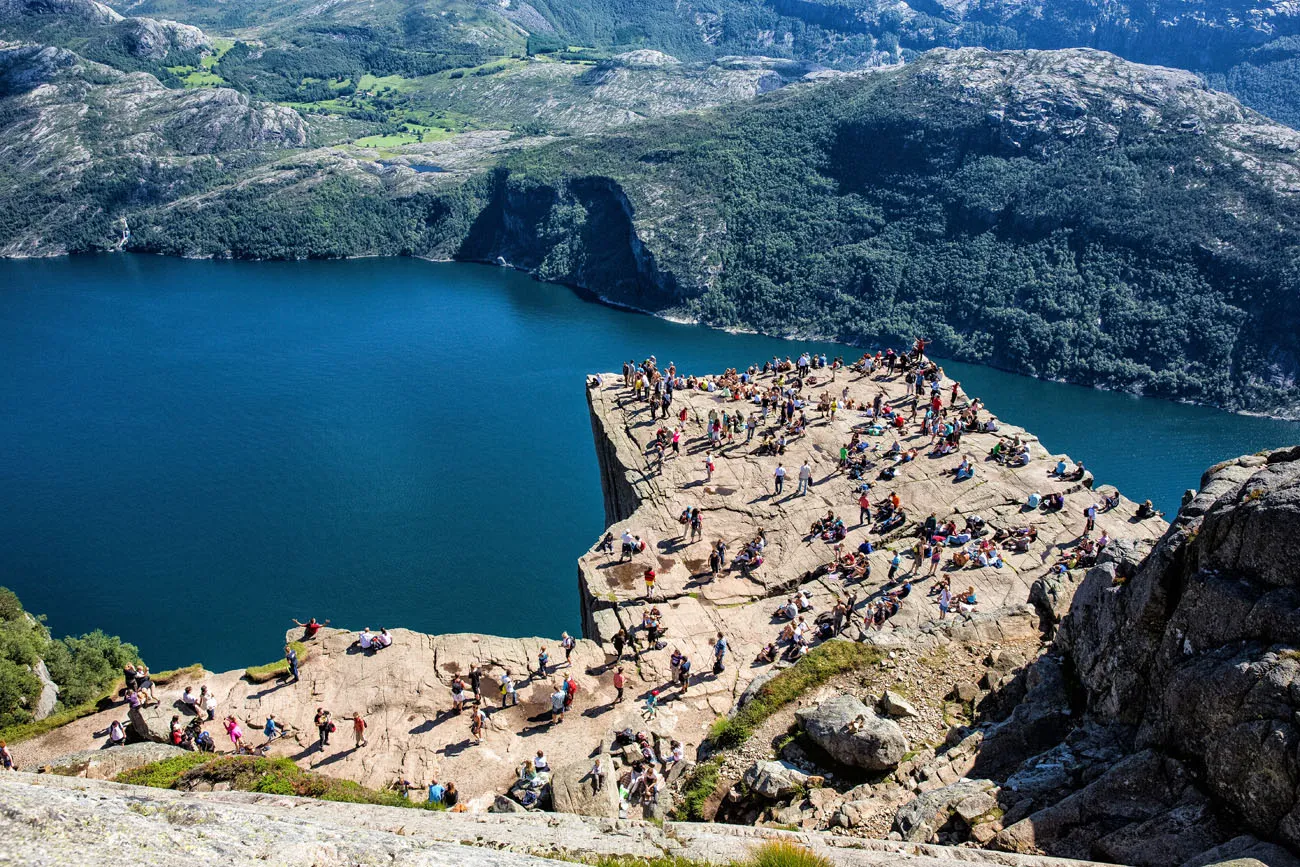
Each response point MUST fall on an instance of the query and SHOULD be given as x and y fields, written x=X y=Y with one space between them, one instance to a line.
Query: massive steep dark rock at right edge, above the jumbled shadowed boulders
x=1199 y=644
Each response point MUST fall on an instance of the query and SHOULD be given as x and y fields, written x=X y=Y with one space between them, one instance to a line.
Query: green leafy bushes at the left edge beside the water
x=83 y=667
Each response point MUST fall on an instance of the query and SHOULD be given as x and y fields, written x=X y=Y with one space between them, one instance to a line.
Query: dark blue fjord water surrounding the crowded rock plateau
x=192 y=453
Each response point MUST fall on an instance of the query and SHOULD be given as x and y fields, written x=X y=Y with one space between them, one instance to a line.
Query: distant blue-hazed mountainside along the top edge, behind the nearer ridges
x=1249 y=47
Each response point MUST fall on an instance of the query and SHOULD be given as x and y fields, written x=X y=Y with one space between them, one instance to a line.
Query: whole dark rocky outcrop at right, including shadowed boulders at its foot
x=1164 y=719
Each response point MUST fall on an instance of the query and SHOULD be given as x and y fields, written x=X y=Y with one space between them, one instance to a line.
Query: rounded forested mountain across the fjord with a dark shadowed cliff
x=1061 y=214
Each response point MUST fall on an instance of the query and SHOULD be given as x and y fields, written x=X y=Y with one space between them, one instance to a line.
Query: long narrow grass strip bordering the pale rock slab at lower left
x=270 y=777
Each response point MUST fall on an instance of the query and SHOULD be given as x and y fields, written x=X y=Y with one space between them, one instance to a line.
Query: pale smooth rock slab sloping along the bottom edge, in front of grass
x=53 y=821
